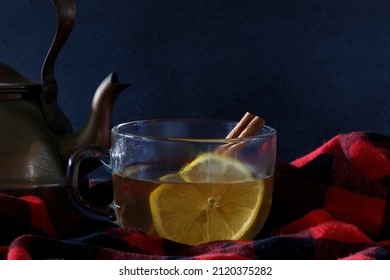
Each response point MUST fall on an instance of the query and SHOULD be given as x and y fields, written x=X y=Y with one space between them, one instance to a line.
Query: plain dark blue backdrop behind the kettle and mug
x=311 y=68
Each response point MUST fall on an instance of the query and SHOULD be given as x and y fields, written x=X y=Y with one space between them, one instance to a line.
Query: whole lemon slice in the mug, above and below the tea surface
x=194 y=213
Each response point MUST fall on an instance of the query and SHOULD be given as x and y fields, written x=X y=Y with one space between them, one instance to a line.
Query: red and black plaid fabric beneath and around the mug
x=332 y=203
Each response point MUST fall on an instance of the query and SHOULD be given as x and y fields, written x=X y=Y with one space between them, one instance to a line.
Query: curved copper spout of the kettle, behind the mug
x=98 y=128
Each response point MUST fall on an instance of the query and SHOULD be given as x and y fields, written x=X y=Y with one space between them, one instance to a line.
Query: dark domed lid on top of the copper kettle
x=11 y=81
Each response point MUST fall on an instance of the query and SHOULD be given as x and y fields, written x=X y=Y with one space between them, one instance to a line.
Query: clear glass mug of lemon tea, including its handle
x=183 y=180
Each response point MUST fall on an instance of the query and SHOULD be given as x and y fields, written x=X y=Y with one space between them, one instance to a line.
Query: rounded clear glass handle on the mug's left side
x=104 y=213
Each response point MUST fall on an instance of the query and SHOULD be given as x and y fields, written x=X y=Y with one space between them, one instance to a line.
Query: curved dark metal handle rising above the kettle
x=66 y=14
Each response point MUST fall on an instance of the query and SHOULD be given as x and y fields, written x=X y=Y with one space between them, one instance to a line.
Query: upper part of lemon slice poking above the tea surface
x=211 y=167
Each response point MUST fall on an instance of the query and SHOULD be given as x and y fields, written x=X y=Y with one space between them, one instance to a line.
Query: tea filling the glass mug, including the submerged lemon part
x=190 y=212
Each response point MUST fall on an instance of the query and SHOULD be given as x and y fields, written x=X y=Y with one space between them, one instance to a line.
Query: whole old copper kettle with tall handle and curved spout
x=36 y=138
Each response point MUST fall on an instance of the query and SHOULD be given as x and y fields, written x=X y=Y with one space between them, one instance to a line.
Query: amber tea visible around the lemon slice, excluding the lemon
x=132 y=191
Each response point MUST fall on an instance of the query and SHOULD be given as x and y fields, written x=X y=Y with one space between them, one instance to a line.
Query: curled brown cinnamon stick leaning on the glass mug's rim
x=248 y=126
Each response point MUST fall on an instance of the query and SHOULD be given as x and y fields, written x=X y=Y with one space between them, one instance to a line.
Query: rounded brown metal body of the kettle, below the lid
x=28 y=147
